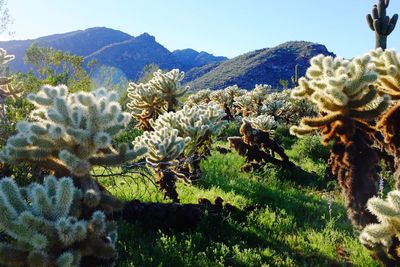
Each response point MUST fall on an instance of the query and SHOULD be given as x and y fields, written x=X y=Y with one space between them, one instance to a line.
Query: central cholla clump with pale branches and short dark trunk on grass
x=178 y=142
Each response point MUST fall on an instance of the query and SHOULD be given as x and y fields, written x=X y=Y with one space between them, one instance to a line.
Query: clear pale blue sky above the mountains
x=222 y=27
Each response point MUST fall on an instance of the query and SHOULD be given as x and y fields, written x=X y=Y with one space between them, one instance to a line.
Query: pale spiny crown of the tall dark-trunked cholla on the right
x=339 y=88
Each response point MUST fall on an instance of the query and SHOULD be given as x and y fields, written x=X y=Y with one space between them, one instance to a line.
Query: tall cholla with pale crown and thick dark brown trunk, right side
x=345 y=95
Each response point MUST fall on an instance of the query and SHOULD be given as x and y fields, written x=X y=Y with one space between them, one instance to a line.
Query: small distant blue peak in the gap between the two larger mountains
x=190 y=58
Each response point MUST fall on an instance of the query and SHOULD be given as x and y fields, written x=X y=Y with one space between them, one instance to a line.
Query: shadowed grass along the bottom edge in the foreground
x=222 y=242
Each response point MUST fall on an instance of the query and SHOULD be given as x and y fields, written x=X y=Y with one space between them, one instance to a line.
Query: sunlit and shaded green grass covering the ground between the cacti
x=294 y=227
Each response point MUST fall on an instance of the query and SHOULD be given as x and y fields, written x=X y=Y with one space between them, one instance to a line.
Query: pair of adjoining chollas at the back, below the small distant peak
x=161 y=94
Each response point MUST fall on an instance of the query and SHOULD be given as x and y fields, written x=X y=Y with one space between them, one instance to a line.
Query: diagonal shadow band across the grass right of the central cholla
x=308 y=211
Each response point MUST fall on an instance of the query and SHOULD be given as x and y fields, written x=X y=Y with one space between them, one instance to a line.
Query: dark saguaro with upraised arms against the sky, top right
x=381 y=24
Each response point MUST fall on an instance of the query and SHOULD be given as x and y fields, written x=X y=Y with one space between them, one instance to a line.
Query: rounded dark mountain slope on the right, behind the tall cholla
x=264 y=66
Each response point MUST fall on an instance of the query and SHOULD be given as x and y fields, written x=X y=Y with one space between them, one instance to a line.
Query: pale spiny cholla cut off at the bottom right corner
x=379 y=236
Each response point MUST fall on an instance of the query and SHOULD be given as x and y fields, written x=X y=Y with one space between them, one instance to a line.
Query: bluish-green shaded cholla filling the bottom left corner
x=46 y=227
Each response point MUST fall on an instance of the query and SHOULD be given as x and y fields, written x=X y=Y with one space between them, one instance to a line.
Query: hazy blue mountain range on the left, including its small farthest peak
x=113 y=48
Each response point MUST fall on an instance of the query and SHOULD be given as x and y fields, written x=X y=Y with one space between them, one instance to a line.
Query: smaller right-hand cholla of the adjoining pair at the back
x=168 y=84
